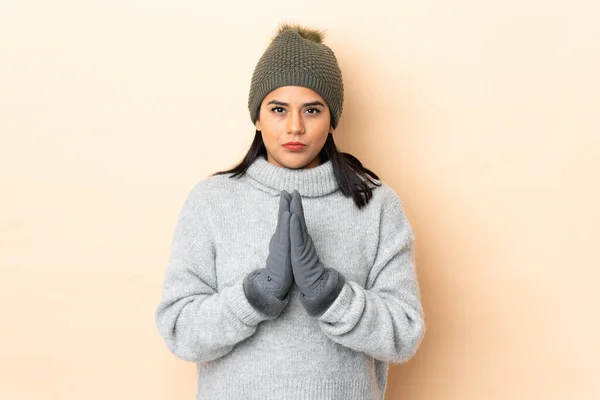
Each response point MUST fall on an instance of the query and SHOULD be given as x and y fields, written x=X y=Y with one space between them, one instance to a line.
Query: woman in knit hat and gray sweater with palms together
x=292 y=275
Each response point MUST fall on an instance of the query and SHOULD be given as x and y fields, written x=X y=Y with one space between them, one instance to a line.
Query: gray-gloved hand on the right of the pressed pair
x=320 y=286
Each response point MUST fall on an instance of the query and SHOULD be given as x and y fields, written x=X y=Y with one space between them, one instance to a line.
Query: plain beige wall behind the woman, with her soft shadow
x=483 y=116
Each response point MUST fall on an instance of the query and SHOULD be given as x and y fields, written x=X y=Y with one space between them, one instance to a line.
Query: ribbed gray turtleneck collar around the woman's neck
x=309 y=182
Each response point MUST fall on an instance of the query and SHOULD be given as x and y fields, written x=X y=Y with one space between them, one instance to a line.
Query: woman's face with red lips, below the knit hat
x=294 y=114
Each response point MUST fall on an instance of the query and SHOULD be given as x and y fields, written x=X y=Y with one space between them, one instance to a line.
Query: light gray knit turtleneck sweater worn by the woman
x=222 y=234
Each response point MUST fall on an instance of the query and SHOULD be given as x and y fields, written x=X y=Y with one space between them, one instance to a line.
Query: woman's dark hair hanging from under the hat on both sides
x=353 y=179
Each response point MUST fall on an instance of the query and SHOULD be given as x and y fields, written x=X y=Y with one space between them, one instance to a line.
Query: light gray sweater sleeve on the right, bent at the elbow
x=385 y=318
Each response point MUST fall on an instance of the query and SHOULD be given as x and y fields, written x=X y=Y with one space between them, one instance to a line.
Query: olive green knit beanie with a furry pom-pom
x=298 y=57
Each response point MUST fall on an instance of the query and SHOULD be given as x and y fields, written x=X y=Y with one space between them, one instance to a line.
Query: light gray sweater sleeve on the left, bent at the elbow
x=197 y=322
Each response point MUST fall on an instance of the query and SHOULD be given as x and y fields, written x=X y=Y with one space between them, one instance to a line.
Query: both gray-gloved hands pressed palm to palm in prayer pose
x=293 y=259
